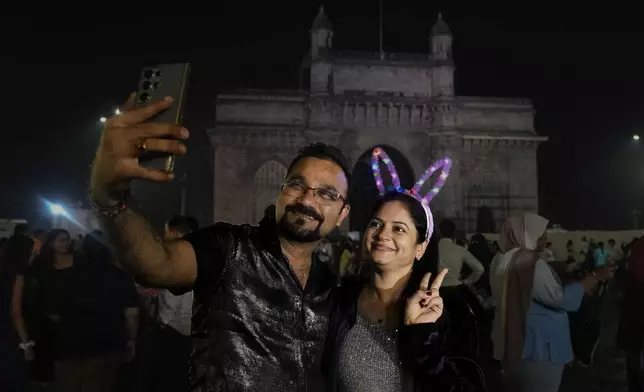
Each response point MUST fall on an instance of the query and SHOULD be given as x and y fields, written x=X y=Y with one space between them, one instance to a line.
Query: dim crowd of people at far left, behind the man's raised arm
x=74 y=320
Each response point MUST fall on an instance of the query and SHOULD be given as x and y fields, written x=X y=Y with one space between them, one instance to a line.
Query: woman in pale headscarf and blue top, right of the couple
x=531 y=331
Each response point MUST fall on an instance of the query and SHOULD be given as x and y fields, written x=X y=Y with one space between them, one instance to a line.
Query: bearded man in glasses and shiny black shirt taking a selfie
x=261 y=301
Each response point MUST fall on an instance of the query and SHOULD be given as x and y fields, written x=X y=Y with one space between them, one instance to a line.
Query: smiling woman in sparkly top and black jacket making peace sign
x=383 y=334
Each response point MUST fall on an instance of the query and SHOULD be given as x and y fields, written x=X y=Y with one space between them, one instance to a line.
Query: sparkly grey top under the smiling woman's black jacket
x=369 y=360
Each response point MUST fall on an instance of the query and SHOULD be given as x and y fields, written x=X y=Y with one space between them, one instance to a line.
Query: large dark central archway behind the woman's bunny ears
x=363 y=192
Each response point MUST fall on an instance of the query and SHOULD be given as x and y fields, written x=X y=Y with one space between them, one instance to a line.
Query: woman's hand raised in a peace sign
x=426 y=306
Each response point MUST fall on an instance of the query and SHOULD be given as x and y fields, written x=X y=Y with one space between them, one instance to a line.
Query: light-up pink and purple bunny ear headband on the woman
x=445 y=164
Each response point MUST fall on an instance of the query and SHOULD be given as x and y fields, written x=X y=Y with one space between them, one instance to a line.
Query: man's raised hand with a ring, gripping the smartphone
x=125 y=137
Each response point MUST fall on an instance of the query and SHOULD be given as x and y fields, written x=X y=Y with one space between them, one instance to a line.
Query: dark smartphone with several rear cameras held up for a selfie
x=157 y=82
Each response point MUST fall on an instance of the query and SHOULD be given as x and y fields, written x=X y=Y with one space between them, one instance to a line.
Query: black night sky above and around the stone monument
x=583 y=72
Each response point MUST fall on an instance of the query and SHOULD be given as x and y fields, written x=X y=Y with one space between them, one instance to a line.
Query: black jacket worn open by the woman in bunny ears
x=421 y=347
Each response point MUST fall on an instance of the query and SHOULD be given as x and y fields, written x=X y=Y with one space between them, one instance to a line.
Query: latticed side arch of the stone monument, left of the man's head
x=268 y=182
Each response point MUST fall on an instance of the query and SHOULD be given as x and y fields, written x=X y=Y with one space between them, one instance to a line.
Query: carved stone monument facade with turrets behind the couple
x=359 y=100
